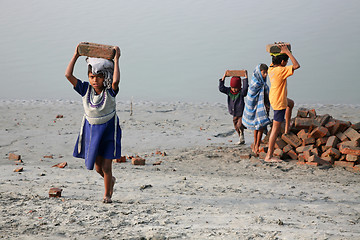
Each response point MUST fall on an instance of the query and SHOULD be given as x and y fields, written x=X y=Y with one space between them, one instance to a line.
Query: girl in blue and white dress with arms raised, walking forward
x=99 y=140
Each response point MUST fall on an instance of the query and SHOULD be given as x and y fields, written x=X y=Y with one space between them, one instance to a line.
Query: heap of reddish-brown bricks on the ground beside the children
x=318 y=140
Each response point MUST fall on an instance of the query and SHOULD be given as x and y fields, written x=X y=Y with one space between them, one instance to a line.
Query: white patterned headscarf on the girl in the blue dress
x=102 y=66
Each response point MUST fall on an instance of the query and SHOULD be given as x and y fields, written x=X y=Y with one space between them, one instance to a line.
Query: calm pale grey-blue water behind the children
x=177 y=50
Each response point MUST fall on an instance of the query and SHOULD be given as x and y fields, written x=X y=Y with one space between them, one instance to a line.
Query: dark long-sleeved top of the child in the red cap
x=235 y=104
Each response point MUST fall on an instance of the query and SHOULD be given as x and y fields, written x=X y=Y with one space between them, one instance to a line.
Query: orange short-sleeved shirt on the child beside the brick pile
x=278 y=89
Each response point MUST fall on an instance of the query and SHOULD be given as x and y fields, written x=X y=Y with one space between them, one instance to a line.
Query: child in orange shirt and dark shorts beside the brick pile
x=282 y=105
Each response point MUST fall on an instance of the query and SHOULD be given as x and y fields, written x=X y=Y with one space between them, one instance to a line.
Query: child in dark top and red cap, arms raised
x=235 y=99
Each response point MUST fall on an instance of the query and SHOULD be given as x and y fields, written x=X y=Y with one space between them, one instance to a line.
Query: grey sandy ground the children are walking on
x=203 y=189
